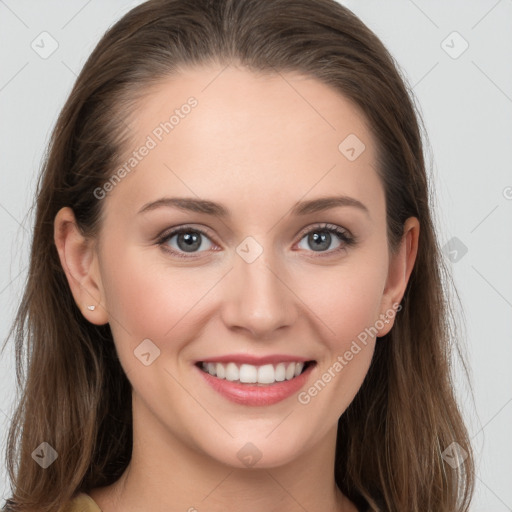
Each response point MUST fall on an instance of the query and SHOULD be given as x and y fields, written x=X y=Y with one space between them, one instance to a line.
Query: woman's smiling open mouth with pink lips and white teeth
x=255 y=384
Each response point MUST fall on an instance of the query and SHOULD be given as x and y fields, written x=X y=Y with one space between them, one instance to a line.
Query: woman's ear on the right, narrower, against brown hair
x=400 y=267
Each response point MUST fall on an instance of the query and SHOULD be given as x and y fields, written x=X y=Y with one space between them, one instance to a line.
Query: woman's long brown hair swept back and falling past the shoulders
x=74 y=393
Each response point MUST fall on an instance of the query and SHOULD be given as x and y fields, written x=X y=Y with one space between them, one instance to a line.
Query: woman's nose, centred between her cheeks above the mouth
x=258 y=298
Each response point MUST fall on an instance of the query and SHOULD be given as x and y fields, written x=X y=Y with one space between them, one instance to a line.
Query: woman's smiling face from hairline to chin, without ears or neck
x=266 y=284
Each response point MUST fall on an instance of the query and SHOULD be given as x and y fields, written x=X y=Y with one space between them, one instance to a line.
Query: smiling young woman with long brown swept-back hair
x=235 y=295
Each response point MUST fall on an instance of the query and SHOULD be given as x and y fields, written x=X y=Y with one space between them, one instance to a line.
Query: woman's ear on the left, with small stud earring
x=80 y=263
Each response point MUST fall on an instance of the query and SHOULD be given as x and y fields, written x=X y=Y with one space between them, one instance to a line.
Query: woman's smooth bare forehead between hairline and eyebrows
x=250 y=138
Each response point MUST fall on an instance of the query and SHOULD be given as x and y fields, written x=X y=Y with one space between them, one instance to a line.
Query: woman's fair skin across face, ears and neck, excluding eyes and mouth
x=257 y=145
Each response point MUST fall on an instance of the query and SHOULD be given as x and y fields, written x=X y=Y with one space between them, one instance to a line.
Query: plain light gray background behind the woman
x=466 y=104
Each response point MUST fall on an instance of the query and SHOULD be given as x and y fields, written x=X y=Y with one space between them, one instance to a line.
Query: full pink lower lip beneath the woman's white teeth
x=257 y=395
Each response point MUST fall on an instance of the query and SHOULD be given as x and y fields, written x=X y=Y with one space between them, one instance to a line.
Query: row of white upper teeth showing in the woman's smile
x=250 y=374
